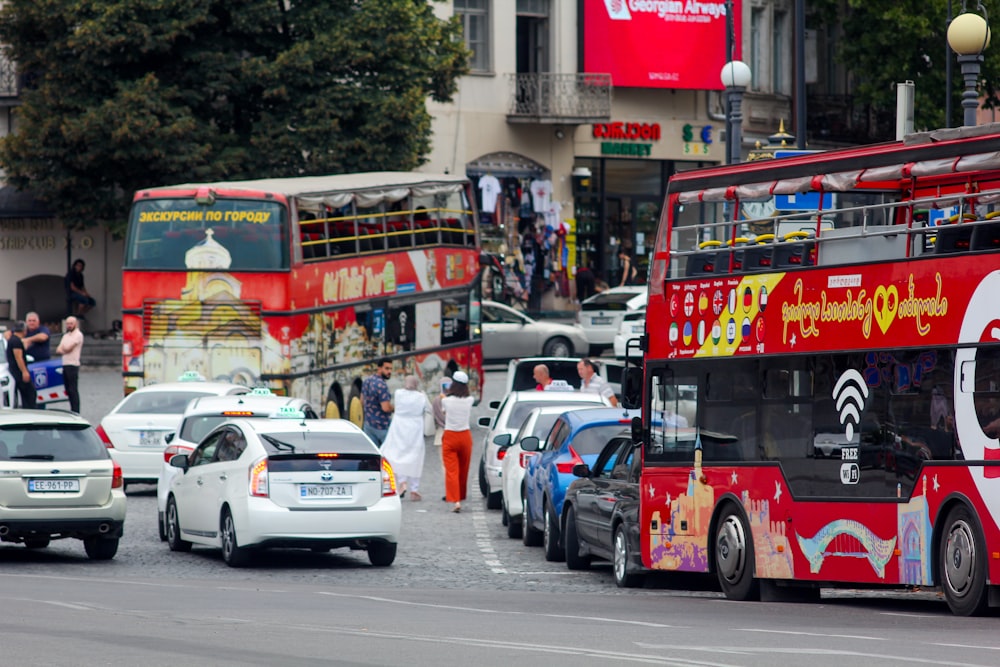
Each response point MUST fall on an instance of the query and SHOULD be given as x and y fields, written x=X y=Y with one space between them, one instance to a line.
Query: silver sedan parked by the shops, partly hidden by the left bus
x=508 y=333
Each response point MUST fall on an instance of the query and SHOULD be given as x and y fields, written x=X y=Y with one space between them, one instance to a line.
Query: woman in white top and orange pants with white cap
x=456 y=442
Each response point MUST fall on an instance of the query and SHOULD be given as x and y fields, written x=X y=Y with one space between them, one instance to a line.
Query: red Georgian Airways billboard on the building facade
x=658 y=43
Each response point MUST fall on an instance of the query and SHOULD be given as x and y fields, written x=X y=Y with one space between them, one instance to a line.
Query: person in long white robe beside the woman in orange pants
x=404 y=442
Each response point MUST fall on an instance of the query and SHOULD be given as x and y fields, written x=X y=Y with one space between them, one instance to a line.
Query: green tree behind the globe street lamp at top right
x=884 y=42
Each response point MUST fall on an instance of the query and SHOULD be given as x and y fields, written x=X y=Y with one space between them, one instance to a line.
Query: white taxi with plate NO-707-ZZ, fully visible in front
x=284 y=482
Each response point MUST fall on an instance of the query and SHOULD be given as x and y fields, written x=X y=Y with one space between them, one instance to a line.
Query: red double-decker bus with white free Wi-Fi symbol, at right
x=822 y=372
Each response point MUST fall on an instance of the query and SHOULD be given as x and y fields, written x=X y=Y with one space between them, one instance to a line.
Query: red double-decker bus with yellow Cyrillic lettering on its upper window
x=300 y=284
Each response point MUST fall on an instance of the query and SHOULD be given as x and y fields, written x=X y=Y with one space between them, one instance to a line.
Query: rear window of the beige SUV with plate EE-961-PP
x=58 y=442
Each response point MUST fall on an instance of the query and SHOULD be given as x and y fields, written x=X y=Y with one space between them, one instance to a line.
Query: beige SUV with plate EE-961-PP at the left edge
x=58 y=481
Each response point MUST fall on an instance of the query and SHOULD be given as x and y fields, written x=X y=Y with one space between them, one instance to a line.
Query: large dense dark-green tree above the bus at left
x=119 y=96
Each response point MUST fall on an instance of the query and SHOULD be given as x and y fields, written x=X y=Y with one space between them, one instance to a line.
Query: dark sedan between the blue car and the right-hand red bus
x=601 y=512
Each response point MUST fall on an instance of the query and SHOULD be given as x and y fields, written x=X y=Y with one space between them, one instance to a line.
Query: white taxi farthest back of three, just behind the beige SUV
x=135 y=430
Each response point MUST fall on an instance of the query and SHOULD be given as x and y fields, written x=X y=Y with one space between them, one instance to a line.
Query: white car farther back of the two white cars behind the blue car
x=511 y=413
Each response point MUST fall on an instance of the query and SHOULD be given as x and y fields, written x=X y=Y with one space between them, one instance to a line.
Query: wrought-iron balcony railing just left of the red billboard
x=559 y=98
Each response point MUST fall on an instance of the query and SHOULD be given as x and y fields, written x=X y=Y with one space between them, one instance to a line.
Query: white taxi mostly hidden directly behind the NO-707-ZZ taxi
x=204 y=414
